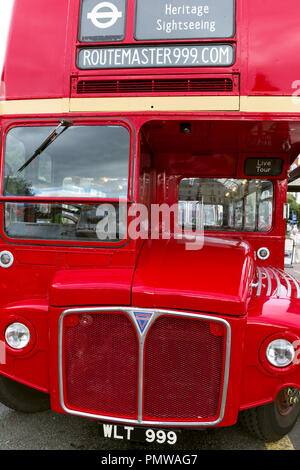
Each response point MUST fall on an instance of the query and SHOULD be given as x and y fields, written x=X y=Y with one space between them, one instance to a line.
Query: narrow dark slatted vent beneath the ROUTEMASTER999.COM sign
x=152 y=86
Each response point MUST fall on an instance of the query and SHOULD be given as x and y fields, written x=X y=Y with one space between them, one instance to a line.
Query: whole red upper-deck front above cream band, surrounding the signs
x=41 y=55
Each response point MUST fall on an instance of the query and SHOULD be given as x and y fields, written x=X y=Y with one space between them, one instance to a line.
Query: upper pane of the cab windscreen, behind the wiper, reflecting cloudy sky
x=84 y=161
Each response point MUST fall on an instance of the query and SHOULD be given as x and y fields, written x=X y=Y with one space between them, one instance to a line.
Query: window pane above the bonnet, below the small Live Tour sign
x=226 y=204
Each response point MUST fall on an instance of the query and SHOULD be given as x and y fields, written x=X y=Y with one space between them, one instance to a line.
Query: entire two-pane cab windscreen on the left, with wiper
x=80 y=162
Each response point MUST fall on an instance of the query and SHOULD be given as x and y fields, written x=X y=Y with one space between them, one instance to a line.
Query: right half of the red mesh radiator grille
x=183 y=369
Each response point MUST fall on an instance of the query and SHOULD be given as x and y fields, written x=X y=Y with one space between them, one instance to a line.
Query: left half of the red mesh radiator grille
x=101 y=362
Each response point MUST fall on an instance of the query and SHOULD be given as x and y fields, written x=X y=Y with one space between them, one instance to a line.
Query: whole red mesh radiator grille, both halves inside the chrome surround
x=182 y=375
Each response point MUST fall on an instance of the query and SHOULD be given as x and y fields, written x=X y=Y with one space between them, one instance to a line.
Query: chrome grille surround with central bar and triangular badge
x=156 y=313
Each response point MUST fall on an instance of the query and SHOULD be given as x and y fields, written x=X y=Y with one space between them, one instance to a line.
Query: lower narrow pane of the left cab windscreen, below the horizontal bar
x=66 y=222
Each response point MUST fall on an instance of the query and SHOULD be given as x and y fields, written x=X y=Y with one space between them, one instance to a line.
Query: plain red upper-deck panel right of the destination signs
x=271 y=50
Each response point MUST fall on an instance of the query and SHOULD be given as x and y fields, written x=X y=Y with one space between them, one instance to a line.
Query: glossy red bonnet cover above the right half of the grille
x=215 y=278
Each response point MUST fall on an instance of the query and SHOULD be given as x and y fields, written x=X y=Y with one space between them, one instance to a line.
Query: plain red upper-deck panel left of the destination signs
x=35 y=61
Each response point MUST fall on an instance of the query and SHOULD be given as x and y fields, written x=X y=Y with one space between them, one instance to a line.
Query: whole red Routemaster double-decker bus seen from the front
x=145 y=148
